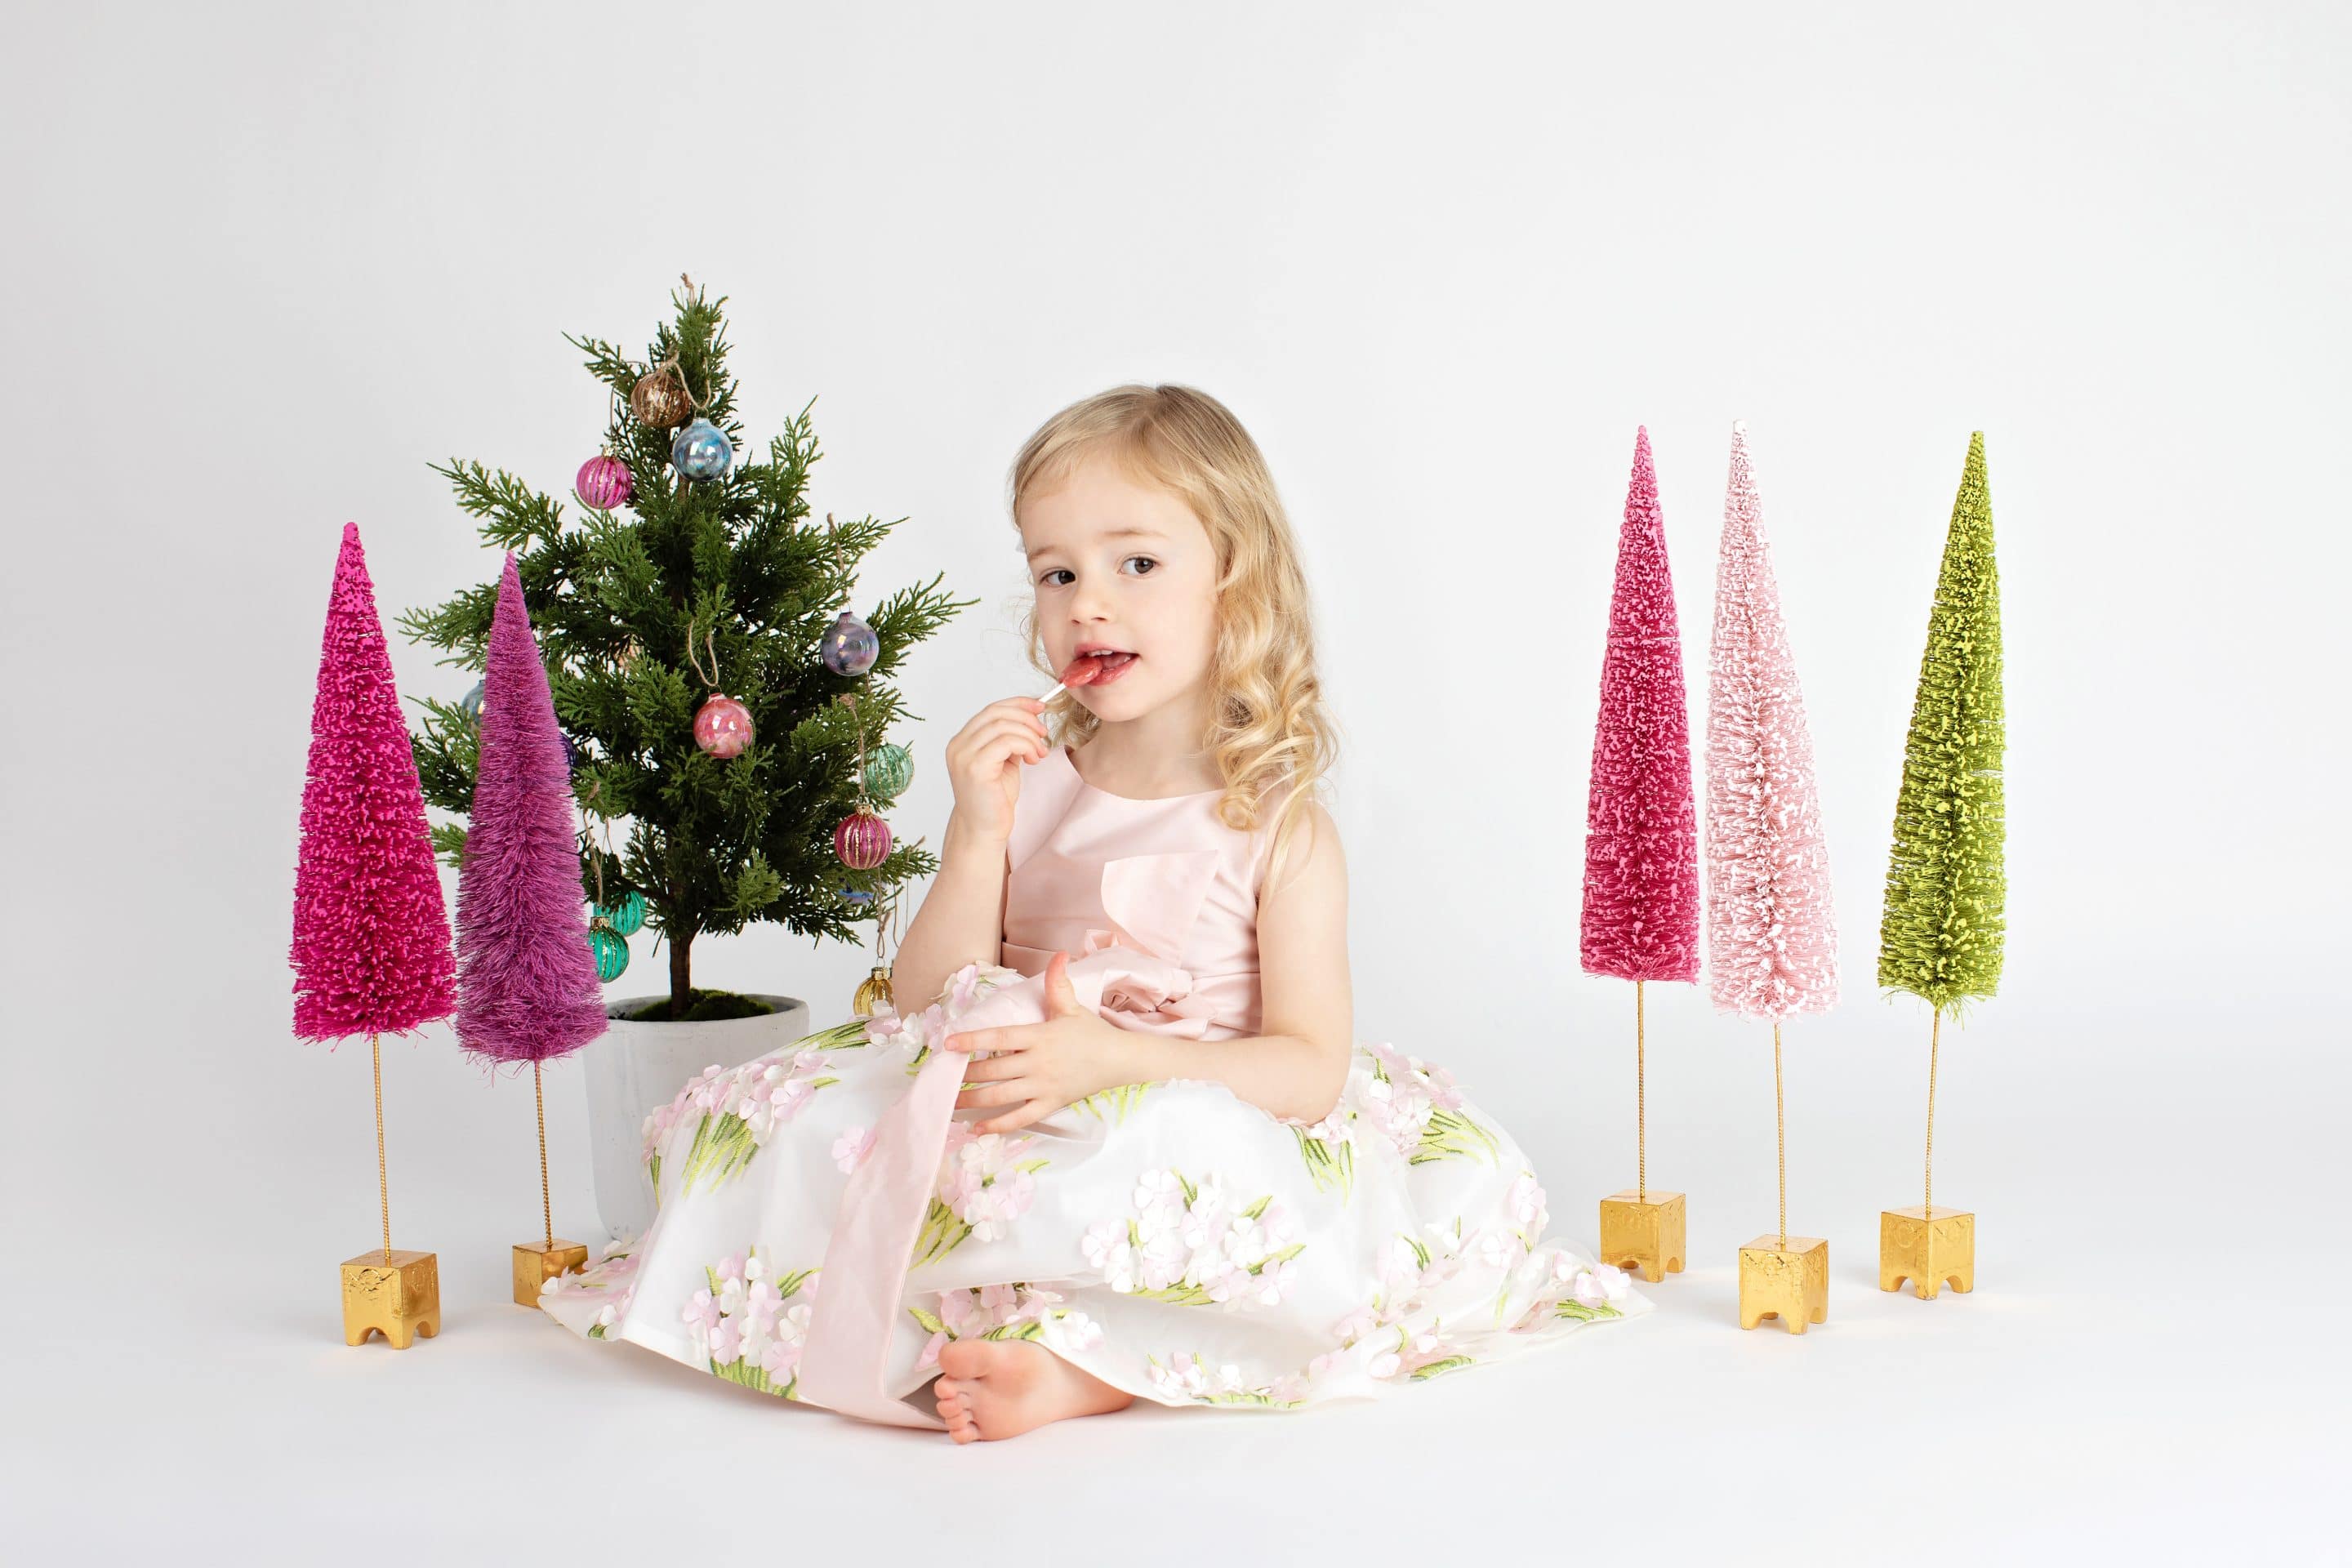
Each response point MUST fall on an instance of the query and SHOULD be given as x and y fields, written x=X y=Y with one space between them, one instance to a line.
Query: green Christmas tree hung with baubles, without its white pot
x=643 y=610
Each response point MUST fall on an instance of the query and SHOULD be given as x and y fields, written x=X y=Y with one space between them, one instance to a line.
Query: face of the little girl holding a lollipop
x=1123 y=565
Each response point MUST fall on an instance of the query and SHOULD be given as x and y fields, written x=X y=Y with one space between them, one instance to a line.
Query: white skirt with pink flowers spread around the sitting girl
x=1170 y=1238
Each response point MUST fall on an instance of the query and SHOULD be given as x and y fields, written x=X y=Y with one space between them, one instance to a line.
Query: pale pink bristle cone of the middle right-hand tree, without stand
x=1772 y=934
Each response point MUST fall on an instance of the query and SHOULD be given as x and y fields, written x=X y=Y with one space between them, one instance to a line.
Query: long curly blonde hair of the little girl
x=1271 y=735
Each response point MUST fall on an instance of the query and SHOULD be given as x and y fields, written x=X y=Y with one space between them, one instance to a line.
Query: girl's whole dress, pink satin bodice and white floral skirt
x=827 y=1217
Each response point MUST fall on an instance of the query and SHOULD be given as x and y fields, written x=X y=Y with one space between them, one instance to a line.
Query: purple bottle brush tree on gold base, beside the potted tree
x=528 y=986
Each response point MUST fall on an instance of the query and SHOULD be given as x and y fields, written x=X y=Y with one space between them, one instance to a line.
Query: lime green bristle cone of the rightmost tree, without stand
x=1942 y=932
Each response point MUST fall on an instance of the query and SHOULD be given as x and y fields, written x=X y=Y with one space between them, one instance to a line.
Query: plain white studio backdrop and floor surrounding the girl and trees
x=269 y=262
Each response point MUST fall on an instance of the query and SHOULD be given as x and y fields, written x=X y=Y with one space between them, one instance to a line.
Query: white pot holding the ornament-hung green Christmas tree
x=639 y=1066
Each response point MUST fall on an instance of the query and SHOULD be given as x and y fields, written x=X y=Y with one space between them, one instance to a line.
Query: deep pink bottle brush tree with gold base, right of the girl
x=1641 y=916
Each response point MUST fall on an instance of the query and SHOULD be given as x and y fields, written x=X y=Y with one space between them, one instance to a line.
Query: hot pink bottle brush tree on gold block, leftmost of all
x=370 y=930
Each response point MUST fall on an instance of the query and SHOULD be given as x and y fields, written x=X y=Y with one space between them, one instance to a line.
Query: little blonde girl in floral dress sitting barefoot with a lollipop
x=1132 y=1151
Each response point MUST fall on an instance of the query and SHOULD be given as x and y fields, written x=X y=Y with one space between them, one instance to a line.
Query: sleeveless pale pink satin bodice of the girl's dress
x=1161 y=878
